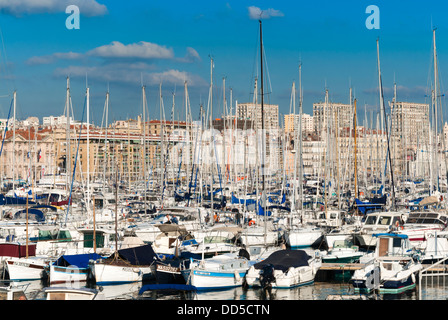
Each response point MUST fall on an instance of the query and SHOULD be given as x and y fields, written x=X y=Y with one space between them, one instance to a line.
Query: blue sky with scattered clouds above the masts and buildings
x=121 y=43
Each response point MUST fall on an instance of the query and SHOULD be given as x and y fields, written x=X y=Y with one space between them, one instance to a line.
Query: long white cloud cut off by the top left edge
x=21 y=7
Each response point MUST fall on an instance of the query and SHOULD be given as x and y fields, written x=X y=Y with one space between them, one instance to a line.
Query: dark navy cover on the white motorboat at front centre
x=284 y=259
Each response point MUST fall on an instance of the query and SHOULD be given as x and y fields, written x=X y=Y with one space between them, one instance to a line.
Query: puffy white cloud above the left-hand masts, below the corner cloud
x=142 y=49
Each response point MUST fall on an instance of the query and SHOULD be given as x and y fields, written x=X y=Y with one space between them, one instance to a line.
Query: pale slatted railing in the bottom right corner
x=432 y=281
